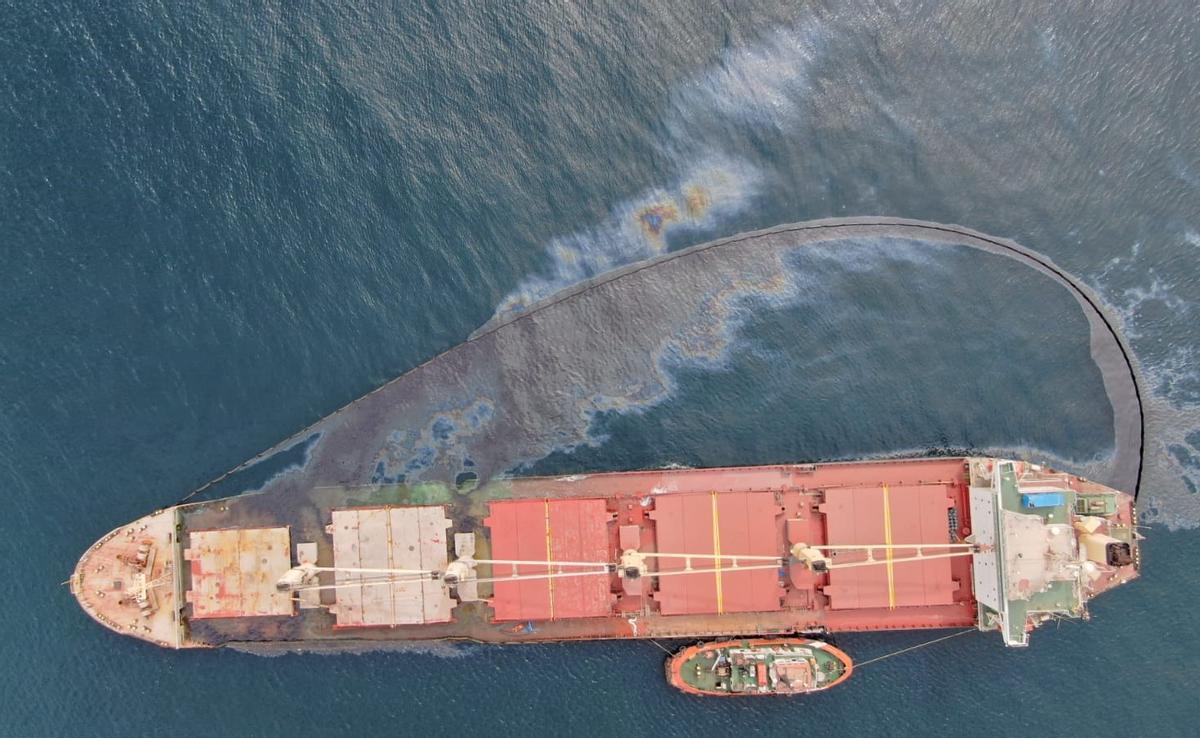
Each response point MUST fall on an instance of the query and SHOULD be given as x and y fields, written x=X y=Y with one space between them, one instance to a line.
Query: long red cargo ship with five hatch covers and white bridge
x=748 y=553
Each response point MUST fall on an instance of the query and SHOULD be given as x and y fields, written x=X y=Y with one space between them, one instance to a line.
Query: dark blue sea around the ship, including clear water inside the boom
x=223 y=221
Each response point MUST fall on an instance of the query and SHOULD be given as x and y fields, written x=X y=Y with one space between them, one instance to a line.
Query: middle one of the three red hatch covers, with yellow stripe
x=746 y=524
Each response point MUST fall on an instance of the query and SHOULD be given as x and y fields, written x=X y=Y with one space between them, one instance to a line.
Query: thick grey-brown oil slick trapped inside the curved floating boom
x=537 y=383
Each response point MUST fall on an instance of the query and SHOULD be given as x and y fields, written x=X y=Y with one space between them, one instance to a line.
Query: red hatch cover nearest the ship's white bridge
x=874 y=515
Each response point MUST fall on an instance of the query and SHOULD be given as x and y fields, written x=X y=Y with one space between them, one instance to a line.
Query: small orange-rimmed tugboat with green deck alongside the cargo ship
x=759 y=667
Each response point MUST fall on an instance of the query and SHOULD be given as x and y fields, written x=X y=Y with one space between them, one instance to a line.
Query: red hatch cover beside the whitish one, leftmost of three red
x=555 y=531
